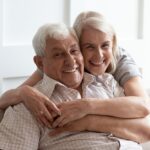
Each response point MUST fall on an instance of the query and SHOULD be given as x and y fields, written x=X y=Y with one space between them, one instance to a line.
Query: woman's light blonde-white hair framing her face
x=97 y=21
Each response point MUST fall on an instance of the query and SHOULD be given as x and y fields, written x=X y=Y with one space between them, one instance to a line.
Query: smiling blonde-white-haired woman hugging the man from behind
x=99 y=48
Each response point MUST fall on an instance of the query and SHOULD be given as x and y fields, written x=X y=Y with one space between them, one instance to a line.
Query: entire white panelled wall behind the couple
x=19 y=19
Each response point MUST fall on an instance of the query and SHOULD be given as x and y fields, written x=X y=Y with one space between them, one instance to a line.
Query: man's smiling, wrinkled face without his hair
x=63 y=61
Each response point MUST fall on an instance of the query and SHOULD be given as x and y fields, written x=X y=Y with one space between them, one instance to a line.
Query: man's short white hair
x=58 y=31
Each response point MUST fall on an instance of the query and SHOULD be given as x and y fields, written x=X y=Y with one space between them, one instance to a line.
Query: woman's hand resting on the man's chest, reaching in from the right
x=71 y=111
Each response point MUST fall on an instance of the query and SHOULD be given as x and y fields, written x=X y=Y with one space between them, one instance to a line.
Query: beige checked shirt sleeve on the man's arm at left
x=19 y=130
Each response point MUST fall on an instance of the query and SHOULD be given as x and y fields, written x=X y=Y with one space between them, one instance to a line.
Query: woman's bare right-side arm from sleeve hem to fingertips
x=136 y=105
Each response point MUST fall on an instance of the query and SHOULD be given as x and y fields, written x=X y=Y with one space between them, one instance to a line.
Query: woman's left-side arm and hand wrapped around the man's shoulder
x=35 y=101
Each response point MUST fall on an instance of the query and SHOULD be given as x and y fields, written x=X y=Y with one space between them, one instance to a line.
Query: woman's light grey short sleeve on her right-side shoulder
x=126 y=67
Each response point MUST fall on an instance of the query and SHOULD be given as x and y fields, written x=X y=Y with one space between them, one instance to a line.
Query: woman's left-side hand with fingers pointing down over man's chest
x=40 y=105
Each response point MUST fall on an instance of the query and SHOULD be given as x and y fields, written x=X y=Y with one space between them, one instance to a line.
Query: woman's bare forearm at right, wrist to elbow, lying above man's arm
x=122 y=107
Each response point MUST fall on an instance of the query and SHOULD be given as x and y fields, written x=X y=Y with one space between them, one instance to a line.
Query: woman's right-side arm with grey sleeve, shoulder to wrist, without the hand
x=136 y=103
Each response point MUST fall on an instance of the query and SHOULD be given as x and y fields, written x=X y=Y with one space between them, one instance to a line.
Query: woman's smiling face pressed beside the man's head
x=96 y=47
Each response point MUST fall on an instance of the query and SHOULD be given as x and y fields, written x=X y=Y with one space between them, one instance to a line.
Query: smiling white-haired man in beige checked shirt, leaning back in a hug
x=62 y=63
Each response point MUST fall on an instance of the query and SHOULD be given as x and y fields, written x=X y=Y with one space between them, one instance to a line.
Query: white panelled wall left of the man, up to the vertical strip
x=19 y=19
